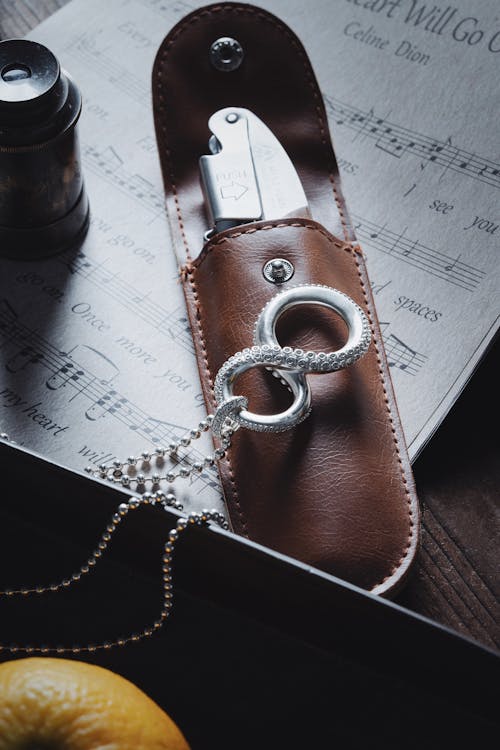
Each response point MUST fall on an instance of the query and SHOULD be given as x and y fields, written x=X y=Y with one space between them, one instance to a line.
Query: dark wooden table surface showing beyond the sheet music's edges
x=458 y=475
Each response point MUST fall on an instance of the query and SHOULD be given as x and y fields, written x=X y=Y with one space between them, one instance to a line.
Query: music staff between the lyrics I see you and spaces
x=452 y=270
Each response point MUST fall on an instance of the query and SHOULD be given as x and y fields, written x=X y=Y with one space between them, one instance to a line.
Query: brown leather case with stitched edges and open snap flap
x=337 y=491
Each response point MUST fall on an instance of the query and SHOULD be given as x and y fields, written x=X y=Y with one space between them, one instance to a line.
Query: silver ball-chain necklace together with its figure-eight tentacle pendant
x=147 y=474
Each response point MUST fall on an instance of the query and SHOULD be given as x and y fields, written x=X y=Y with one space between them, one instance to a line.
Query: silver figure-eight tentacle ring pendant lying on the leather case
x=292 y=364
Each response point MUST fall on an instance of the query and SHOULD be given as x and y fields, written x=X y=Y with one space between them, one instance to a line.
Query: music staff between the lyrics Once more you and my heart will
x=33 y=349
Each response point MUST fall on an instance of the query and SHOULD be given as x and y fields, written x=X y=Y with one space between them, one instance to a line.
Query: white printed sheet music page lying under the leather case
x=96 y=356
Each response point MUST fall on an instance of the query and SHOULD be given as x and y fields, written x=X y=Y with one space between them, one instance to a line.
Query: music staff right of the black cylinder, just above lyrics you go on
x=109 y=166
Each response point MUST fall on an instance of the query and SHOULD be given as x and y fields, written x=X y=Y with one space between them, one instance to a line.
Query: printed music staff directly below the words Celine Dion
x=397 y=141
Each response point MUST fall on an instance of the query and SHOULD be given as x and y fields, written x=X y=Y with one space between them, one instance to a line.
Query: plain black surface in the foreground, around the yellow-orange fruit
x=259 y=652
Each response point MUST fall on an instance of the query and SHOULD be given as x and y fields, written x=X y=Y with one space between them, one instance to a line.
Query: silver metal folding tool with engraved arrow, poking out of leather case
x=248 y=176
